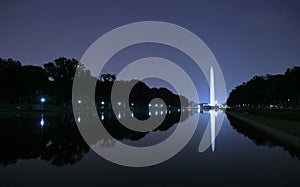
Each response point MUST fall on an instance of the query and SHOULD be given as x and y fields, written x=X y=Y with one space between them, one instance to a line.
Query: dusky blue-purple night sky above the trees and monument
x=247 y=37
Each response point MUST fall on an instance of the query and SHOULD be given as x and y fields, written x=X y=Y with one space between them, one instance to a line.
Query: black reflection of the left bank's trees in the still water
x=58 y=140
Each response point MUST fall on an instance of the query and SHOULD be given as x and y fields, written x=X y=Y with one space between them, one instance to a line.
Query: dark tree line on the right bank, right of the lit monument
x=275 y=91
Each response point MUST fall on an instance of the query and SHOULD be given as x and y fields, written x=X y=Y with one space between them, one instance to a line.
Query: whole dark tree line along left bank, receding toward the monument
x=27 y=84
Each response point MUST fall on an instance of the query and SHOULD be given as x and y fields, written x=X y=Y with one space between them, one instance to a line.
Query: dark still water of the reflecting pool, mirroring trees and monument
x=47 y=150
